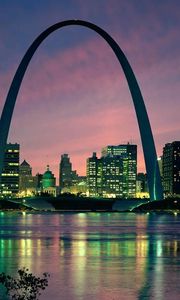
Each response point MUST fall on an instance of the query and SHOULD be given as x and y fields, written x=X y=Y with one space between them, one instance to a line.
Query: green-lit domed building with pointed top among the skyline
x=49 y=182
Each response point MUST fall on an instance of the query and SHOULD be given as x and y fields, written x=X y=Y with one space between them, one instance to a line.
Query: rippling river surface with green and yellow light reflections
x=95 y=256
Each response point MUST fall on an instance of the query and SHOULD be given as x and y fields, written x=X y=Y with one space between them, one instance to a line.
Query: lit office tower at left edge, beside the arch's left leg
x=9 y=182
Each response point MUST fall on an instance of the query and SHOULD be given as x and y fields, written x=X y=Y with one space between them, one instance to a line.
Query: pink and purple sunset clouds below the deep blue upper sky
x=76 y=100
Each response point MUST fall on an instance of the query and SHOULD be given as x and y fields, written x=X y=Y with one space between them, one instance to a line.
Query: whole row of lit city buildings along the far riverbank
x=114 y=174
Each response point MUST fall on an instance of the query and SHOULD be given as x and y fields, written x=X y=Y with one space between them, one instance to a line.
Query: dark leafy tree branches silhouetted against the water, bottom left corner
x=24 y=287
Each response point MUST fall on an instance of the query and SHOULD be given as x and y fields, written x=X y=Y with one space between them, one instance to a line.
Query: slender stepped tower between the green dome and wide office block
x=67 y=176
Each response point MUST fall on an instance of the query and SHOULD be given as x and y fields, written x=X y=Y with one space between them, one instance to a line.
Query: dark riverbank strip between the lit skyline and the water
x=78 y=204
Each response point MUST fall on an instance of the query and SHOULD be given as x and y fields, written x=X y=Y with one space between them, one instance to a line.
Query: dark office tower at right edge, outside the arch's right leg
x=171 y=168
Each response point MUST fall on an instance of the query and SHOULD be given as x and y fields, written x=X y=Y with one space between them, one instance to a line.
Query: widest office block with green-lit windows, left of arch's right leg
x=114 y=174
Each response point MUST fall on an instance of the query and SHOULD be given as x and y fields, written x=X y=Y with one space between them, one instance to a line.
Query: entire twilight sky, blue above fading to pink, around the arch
x=74 y=96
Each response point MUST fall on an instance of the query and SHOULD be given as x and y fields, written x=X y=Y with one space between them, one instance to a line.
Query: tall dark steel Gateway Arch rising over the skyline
x=152 y=168
